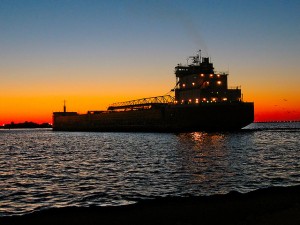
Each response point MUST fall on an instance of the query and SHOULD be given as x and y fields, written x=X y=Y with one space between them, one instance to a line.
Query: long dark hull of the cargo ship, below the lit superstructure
x=166 y=118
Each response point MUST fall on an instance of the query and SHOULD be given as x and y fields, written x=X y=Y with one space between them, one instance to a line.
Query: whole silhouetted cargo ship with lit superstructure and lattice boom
x=201 y=101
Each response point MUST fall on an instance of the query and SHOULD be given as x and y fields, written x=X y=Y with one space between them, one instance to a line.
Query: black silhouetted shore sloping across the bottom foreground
x=276 y=205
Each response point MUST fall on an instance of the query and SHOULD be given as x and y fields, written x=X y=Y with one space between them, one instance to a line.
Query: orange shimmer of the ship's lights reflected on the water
x=203 y=152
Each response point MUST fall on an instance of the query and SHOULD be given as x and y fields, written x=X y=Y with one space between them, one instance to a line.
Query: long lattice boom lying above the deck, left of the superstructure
x=165 y=99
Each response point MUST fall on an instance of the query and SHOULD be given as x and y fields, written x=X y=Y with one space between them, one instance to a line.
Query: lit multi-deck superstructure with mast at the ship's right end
x=198 y=83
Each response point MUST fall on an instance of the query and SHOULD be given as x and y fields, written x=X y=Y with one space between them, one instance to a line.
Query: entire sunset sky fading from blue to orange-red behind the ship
x=93 y=53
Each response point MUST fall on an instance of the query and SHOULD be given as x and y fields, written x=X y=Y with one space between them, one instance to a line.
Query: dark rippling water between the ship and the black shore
x=41 y=169
